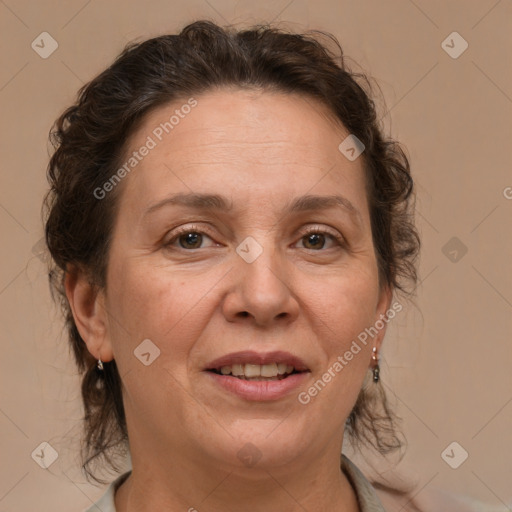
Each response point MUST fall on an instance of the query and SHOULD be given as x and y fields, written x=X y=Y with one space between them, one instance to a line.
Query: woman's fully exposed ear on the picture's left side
x=87 y=304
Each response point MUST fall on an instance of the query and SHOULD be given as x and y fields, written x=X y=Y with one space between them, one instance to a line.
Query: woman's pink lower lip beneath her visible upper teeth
x=259 y=390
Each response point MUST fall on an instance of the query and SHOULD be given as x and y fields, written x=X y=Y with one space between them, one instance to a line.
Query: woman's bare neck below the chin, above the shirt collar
x=182 y=484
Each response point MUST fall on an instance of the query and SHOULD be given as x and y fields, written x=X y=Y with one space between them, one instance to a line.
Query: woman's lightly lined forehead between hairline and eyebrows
x=241 y=143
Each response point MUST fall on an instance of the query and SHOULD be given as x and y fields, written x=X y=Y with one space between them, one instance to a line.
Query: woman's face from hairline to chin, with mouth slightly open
x=236 y=280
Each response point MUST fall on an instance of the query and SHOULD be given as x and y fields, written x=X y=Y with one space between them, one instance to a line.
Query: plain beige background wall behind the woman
x=448 y=360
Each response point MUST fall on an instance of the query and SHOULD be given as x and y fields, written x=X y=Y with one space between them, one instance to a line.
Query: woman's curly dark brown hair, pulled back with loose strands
x=90 y=137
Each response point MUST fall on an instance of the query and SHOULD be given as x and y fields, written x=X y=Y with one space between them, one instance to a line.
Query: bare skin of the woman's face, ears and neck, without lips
x=200 y=300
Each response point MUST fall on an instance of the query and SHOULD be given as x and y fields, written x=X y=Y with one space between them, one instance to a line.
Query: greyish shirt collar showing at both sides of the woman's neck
x=366 y=496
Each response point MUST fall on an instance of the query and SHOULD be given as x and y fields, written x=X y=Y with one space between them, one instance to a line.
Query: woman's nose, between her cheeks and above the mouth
x=261 y=292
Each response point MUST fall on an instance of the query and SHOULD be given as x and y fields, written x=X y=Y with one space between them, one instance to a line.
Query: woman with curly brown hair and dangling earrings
x=229 y=228
